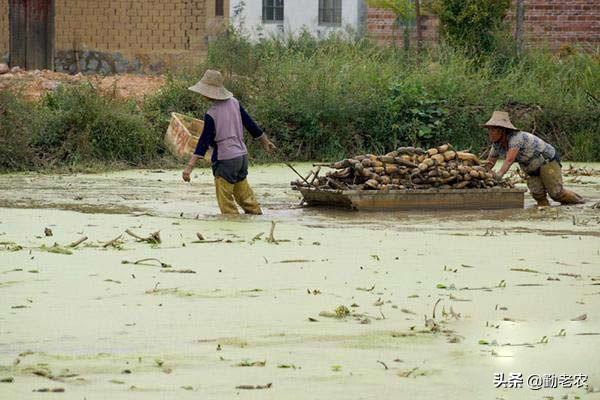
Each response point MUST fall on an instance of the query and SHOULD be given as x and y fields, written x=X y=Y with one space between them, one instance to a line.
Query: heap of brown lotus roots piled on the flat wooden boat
x=406 y=168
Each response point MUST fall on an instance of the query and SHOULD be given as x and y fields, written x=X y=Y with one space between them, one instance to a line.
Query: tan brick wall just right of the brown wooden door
x=150 y=35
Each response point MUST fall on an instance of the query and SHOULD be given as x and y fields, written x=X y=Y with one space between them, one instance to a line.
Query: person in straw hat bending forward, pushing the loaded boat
x=537 y=158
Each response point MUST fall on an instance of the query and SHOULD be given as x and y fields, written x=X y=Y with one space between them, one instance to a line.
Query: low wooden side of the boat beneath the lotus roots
x=466 y=199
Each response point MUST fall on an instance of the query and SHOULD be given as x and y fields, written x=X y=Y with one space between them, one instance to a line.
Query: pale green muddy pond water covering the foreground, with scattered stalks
x=100 y=327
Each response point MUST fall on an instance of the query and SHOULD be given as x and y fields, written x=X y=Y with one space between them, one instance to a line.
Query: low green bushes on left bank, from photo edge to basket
x=74 y=126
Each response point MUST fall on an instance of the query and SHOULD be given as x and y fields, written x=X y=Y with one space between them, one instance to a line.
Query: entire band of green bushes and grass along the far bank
x=321 y=100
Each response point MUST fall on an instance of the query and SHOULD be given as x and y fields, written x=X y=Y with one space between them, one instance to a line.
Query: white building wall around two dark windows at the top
x=298 y=15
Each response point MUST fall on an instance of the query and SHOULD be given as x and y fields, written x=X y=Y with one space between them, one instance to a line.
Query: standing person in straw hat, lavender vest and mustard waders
x=224 y=125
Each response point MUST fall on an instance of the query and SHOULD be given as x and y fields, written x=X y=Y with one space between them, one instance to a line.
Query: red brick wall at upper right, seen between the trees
x=547 y=22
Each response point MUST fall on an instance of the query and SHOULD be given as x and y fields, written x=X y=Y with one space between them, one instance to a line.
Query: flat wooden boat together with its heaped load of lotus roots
x=410 y=178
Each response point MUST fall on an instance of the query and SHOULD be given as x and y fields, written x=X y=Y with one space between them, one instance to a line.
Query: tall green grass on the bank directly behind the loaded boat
x=330 y=98
